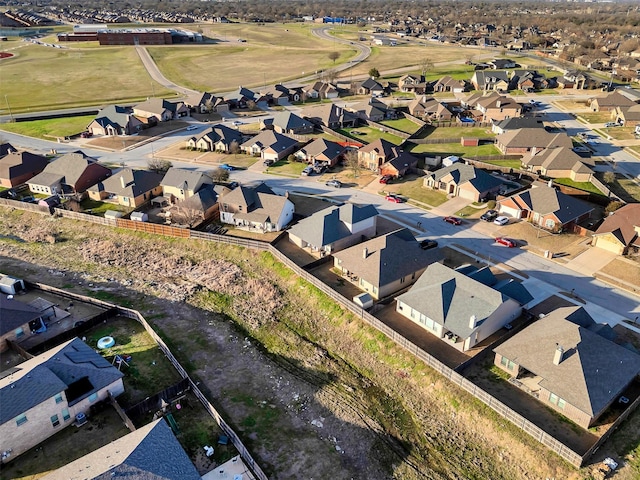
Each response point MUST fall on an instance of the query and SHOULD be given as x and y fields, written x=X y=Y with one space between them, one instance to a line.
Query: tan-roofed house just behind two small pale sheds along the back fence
x=128 y=187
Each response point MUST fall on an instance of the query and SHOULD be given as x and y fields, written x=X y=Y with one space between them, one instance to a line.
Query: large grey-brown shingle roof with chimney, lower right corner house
x=594 y=370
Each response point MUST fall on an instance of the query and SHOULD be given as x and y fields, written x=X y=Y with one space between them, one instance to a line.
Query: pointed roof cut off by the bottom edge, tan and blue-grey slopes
x=150 y=452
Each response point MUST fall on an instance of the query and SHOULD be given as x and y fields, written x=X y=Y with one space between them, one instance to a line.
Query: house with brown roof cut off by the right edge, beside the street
x=620 y=231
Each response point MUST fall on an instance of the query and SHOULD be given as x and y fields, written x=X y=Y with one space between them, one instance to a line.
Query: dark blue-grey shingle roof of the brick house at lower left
x=50 y=373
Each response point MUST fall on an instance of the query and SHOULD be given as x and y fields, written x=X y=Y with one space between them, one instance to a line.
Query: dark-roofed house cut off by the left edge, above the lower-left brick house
x=17 y=321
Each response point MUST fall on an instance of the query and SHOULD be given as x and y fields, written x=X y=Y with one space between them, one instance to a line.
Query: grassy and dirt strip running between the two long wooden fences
x=275 y=355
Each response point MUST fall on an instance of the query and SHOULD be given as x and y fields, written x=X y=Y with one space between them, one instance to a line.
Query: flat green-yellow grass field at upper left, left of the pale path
x=42 y=78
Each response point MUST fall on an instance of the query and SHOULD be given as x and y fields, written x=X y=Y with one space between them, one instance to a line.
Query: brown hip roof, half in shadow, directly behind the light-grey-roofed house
x=389 y=257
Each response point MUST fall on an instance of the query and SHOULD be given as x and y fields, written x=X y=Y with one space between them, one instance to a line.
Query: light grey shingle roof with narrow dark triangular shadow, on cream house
x=450 y=298
